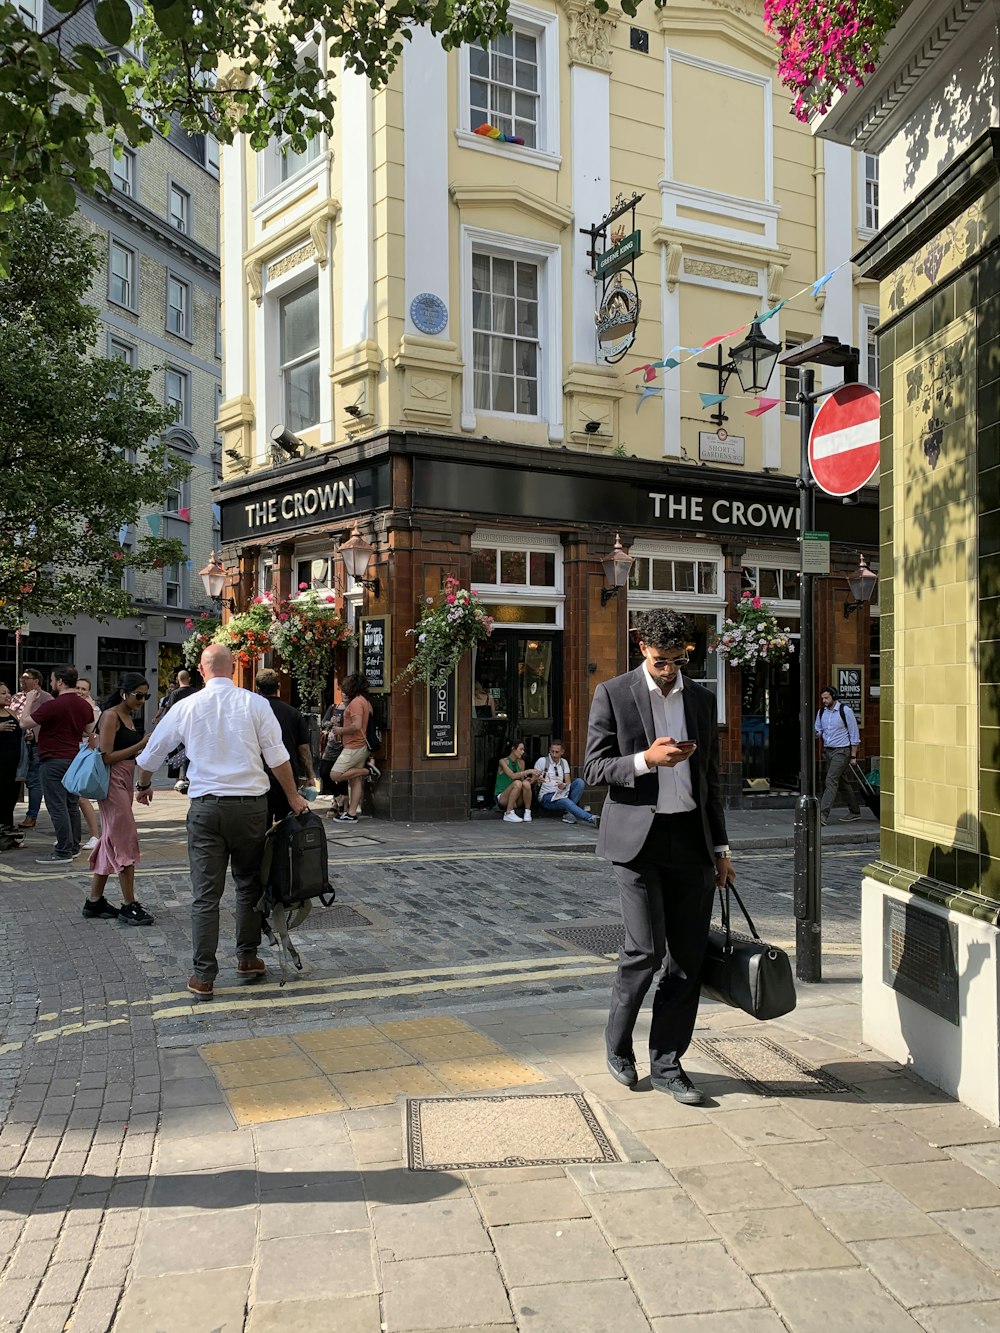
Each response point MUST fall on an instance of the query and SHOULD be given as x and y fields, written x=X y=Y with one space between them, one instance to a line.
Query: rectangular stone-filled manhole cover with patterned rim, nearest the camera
x=465 y=1134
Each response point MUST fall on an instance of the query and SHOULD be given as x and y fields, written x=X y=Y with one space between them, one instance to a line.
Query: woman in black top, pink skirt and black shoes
x=121 y=739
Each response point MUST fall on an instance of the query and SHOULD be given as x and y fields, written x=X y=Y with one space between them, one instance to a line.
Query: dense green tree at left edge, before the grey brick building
x=81 y=449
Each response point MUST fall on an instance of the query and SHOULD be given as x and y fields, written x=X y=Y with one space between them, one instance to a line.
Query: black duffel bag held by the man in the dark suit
x=743 y=971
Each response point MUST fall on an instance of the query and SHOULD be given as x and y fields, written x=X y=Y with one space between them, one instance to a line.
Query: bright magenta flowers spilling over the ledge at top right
x=826 y=46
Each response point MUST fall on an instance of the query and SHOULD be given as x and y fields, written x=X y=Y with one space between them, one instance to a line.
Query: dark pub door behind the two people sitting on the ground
x=518 y=694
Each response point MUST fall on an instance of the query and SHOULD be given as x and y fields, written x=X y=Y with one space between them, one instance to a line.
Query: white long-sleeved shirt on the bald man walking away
x=229 y=735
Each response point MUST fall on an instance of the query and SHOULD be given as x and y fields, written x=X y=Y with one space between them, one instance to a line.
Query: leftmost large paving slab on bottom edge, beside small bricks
x=186 y=1302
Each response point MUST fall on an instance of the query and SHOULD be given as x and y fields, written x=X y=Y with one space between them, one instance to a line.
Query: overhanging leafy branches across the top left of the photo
x=58 y=95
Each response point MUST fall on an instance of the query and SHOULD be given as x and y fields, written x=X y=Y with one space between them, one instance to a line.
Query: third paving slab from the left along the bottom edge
x=455 y=1292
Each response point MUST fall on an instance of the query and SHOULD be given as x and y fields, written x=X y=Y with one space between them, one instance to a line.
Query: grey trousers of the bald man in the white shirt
x=225 y=831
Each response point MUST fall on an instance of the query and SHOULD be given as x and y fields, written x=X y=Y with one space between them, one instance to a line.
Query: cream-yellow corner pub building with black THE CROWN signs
x=411 y=289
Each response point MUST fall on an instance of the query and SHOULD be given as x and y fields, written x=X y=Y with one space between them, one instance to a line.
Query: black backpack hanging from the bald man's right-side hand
x=294 y=871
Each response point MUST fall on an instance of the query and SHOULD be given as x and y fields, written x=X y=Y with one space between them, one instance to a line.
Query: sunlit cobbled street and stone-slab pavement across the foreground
x=137 y=1195
